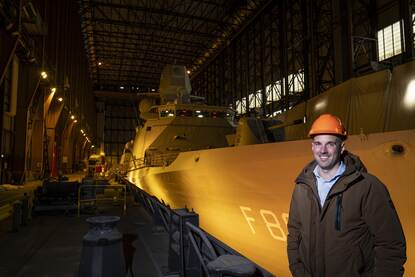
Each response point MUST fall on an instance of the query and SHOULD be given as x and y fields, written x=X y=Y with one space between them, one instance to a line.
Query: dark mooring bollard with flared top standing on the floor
x=102 y=250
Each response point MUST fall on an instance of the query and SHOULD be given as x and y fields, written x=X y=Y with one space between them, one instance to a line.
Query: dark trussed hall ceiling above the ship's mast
x=129 y=41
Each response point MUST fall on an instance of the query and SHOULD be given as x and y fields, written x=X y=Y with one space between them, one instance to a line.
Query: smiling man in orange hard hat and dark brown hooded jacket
x=342 y=220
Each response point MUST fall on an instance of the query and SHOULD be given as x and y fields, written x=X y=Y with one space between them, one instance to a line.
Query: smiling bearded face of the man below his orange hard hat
x=327 y=150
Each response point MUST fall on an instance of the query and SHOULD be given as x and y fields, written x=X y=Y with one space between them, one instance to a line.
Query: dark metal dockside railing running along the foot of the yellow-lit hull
x=193 y=251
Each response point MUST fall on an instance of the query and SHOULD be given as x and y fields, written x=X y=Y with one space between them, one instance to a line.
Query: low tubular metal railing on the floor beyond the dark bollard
x=96 y=193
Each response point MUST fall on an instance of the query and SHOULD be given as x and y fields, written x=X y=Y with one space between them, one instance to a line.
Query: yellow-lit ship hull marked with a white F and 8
x=242 y=194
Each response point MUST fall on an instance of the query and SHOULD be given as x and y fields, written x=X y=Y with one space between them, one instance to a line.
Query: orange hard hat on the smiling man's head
x=327 y=124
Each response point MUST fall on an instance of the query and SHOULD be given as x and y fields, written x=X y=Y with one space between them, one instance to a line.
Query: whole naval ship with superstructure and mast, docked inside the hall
x=239 y=177
